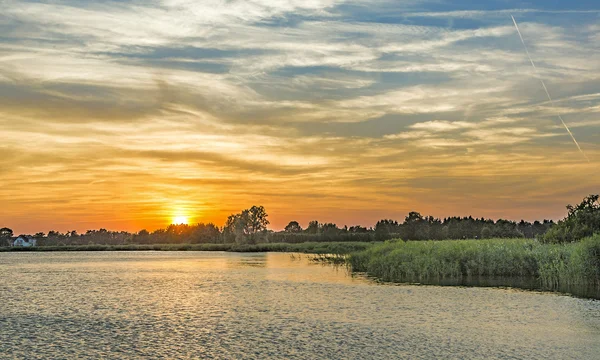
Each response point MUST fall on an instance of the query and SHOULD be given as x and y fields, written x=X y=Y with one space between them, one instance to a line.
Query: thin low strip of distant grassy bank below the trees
x=309 y=248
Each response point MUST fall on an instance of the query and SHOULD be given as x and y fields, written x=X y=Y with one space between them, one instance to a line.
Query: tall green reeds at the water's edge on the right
x=553 y=265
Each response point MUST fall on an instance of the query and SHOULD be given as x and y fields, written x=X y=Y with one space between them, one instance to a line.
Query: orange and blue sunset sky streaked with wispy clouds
x=126 y=114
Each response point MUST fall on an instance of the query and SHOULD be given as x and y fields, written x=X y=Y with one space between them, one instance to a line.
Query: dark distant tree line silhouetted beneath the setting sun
x=250 y=226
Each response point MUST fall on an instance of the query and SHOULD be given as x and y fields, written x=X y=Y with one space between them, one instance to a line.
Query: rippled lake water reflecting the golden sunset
x=180 y=305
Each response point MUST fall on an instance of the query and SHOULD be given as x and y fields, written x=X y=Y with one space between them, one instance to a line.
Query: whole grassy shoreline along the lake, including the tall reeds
x=470 y=263
